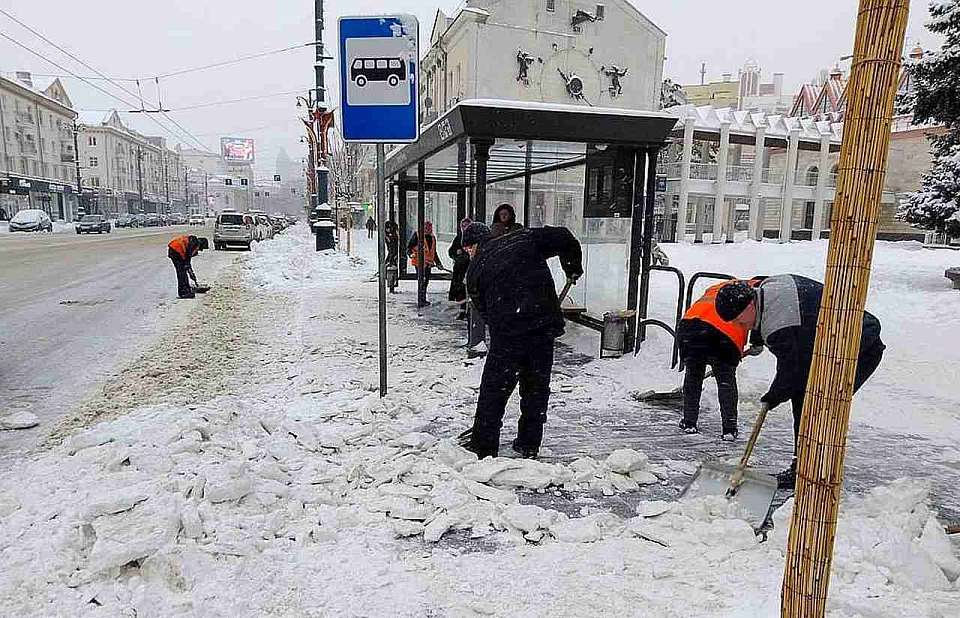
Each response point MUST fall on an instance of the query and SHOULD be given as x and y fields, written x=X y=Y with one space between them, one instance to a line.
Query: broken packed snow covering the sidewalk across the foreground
x=312 y=496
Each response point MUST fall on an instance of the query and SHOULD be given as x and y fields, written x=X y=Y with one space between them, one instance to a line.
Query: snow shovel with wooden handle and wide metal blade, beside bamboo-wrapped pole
x=752 y=491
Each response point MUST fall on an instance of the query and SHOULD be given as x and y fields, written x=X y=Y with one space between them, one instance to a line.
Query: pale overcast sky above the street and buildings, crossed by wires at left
x=144 y=38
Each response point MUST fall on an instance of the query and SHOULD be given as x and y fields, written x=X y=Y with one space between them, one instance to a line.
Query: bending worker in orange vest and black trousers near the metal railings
x=706 y=339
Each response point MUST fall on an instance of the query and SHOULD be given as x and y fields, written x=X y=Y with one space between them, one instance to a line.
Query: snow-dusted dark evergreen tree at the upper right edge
x=936 y=99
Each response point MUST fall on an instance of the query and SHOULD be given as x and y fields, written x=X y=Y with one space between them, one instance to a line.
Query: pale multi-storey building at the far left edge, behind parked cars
x=37 y=150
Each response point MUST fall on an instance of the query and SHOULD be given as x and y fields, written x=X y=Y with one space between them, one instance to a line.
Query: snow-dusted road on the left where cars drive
x=74 y=308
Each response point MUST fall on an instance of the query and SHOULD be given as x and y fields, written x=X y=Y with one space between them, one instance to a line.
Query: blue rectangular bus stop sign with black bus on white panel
x=379 y=63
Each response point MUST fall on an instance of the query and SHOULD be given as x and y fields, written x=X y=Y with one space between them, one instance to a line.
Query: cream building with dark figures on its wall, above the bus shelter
x=604 y=54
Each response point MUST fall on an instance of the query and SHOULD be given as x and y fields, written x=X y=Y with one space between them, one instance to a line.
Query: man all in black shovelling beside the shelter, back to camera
x=511 y=286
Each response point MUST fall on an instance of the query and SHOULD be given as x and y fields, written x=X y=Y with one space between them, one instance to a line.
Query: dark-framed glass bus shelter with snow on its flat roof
x=591 y=170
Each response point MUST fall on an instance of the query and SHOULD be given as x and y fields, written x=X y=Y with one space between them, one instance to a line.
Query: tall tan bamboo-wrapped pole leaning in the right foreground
x=881 y=25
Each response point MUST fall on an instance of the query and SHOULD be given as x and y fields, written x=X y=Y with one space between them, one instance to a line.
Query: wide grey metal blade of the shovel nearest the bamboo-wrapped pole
x=753 y=498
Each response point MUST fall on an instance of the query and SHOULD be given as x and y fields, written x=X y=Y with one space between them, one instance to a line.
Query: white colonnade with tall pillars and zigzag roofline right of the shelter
x=756 y=159
